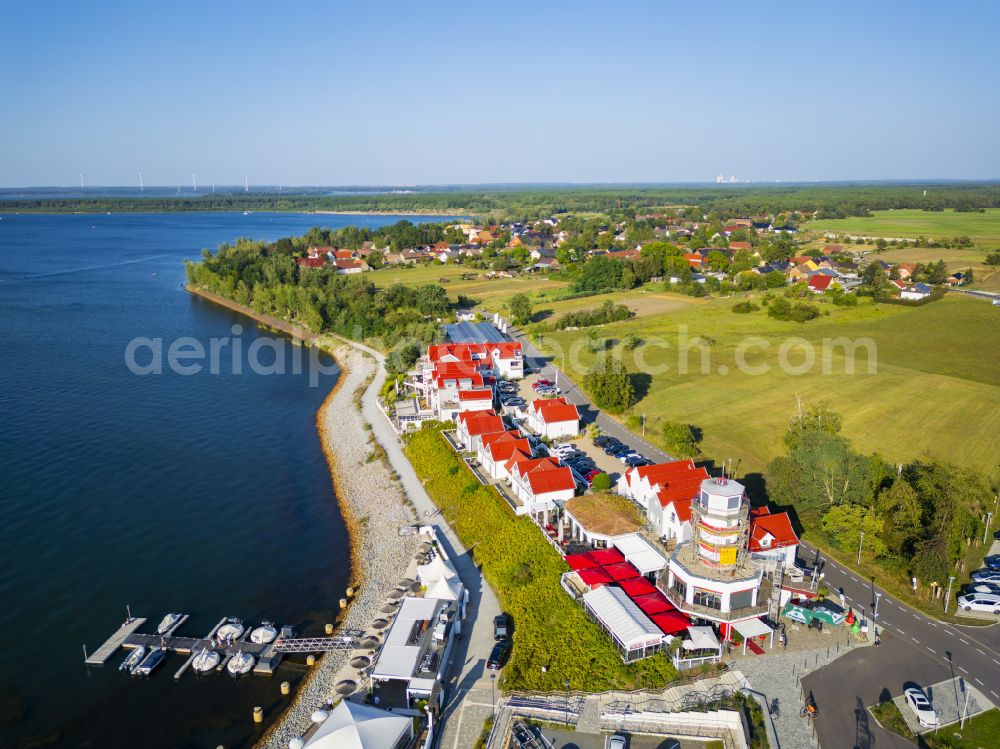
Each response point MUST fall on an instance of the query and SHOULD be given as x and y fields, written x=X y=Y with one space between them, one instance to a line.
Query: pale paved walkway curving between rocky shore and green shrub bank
x=470 y=689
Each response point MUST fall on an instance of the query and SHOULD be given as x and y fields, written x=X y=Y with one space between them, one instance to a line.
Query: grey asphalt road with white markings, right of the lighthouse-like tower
x=972 y=653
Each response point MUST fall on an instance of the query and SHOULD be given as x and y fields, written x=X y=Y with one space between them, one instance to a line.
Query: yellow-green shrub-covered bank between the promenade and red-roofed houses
x=550 y=629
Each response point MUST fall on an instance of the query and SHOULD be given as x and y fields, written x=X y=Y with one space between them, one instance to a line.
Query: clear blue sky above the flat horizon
x=335 y=93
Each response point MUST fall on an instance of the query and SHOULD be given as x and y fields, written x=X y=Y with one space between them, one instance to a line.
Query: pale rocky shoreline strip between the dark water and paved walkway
x=372 y=503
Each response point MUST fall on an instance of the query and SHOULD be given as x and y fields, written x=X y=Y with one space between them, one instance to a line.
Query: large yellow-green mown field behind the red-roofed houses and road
x=935 y=391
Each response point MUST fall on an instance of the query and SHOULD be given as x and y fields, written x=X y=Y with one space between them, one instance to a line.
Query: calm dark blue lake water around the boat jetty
x=206 y=494
